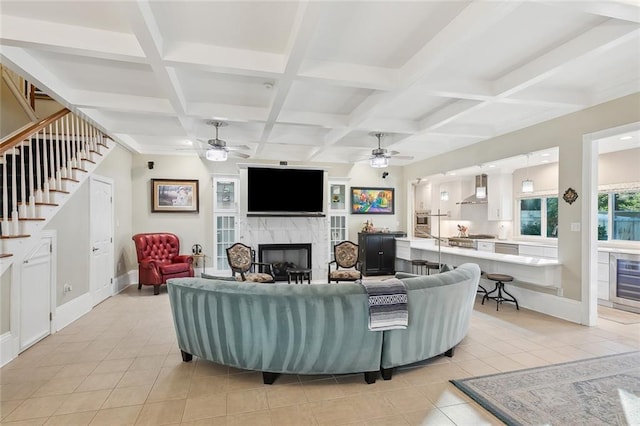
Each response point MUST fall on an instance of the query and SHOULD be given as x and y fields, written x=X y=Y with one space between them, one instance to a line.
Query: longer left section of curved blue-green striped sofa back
x=279 y=328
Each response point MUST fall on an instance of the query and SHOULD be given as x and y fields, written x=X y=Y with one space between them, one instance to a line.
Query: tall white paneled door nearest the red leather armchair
x=101 y=237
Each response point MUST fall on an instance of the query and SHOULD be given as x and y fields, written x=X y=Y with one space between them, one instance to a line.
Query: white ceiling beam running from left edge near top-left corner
x=69 y=39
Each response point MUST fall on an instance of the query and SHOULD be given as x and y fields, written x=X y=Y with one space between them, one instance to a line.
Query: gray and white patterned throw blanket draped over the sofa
x=387 y=304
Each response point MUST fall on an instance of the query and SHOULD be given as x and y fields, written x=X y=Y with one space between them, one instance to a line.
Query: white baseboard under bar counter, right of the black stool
x=559 y=307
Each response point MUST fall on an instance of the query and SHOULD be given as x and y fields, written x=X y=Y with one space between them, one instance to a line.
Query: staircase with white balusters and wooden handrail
x=40 y=169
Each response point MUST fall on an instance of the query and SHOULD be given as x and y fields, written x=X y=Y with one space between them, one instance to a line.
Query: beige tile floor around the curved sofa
x=119 y=364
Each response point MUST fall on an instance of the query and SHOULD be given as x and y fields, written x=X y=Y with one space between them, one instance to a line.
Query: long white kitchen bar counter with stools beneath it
x=526 y=270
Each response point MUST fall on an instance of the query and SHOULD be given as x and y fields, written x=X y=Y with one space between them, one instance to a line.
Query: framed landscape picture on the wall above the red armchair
x=174 y=196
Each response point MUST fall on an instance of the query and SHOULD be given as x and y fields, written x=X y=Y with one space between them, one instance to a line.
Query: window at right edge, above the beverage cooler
x=620 y=212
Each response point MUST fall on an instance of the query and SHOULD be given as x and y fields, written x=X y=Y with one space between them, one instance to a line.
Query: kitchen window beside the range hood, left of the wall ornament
x=539 y=216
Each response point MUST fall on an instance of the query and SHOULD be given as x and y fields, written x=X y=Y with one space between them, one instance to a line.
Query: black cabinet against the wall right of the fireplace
x=377 y=252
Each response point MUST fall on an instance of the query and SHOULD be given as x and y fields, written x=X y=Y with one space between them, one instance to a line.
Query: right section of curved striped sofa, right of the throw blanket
x=440 y=308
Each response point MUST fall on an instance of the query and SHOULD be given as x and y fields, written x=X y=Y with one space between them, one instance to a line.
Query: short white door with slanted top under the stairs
x=35 y=294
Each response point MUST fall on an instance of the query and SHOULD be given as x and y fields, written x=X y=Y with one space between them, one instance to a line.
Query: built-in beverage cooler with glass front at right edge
x=624 y=282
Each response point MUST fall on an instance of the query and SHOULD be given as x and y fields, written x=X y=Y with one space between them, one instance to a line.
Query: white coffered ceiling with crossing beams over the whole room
x=311 y=80
